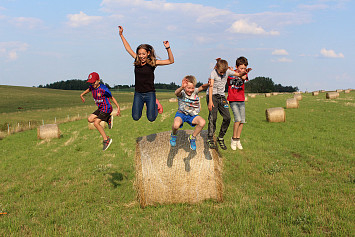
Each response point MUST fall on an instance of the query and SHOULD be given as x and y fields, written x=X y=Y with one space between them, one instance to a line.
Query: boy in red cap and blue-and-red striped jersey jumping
x=102 y=97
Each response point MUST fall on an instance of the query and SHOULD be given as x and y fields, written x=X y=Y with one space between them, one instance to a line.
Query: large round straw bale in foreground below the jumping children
x=166 y=174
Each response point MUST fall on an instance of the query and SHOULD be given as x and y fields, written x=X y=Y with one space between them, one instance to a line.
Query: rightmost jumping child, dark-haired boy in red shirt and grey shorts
x=236 y=100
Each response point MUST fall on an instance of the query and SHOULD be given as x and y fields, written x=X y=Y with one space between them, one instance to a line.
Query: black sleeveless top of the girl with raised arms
x=144 y=78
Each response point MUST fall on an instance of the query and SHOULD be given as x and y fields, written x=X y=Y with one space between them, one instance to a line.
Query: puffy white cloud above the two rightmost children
x=244 y=27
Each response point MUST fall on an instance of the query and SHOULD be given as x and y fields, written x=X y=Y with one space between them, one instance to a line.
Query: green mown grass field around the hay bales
x=292 y=179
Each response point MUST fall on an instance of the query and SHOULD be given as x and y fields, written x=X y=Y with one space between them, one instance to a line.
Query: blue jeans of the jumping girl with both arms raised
x=149 y=99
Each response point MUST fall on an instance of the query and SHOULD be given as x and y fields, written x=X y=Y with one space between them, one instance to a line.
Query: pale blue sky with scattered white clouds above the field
x=308 y=44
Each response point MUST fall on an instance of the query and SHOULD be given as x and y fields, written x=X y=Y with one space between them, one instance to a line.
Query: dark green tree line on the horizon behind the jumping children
x=256 y=85
